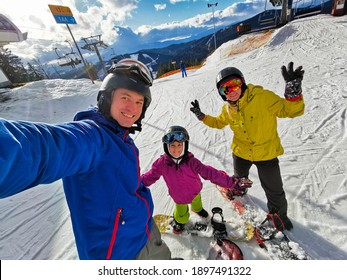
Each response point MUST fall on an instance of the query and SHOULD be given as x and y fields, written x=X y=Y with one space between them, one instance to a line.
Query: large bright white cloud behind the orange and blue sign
x=34 y=17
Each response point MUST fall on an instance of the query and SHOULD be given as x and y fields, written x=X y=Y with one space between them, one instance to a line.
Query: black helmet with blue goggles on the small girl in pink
x=176 y=133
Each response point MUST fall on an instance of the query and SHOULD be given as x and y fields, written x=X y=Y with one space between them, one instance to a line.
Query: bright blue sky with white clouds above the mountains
x=101 y=16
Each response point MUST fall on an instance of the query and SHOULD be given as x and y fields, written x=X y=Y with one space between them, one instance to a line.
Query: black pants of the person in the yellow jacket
x=270 y=178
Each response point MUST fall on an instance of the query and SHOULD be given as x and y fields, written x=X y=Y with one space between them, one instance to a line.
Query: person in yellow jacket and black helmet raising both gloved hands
x=251 y=113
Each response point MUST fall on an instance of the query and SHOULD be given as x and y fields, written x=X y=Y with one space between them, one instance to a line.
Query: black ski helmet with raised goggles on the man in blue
x=130 y=74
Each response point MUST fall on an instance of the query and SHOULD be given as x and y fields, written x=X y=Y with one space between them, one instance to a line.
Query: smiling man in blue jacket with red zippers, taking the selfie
x=111 y=210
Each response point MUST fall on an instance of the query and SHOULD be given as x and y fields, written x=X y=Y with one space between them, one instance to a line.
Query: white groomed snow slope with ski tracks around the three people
x=35 y=224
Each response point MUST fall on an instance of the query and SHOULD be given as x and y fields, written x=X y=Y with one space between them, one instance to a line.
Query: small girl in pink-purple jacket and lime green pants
x=181 y=170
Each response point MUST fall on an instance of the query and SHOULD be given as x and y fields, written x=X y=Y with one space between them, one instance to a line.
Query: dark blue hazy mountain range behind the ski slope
x=192 y=49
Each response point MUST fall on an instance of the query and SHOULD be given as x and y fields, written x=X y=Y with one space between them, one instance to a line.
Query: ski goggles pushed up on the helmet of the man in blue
x=133 y=66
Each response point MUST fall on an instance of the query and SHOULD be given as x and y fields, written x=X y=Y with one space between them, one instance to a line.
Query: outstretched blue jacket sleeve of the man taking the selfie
x=36 y=153
